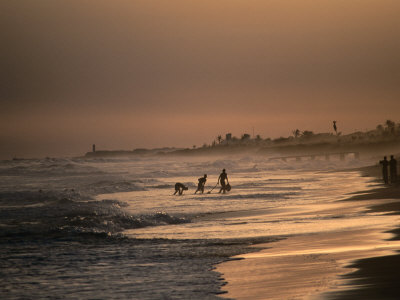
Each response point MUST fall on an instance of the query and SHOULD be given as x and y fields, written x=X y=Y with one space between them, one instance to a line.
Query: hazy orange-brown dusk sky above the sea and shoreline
x=152 y=73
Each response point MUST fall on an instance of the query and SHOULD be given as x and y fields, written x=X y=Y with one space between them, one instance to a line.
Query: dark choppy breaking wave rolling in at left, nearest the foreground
x=49 y=213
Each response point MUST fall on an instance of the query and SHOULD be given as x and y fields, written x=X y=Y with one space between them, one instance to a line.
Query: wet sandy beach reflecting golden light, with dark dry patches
x=347 y=264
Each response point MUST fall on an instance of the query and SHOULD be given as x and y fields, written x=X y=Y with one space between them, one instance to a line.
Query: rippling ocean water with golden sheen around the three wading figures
x=111 y=228
